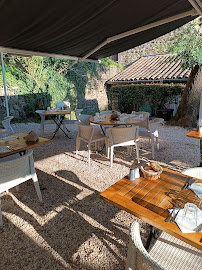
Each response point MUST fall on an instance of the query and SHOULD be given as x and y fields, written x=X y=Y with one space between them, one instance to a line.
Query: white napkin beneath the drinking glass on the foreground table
x=186 y=225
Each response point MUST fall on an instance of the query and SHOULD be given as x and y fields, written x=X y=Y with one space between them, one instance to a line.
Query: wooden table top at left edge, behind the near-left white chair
x=18 y=144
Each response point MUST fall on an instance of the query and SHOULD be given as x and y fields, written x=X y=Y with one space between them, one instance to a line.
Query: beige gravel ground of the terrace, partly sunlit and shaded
x=75 y=229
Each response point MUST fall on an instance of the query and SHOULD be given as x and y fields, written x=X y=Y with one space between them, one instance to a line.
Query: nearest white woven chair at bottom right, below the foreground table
x=167 y=253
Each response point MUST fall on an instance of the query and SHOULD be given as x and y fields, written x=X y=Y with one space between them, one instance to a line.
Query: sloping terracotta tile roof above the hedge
x=154 y=68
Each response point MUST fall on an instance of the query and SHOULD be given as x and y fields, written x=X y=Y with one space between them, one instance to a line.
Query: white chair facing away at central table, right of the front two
x=123 y=136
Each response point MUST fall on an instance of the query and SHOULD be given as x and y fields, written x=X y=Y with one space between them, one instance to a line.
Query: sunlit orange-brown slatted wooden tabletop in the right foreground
x=150 y=201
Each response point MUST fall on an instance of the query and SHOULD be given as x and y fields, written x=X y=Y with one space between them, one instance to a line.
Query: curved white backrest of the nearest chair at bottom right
x=137 y=257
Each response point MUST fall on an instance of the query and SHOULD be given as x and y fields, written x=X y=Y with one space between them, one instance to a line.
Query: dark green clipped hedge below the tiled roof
x=127 y=98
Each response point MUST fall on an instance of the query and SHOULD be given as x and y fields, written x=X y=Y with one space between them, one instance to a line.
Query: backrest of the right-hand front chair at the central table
x=123 y=134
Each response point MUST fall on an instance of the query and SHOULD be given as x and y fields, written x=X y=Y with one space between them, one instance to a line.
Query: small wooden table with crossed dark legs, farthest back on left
x=58 y=117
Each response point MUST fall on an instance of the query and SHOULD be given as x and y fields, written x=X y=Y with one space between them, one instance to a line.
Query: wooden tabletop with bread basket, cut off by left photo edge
x=19 y=145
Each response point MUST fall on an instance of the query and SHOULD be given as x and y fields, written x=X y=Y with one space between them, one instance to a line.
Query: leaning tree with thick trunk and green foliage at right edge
x=187 y=44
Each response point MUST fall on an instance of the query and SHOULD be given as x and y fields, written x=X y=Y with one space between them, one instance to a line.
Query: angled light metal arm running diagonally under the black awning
x=191 y=12
